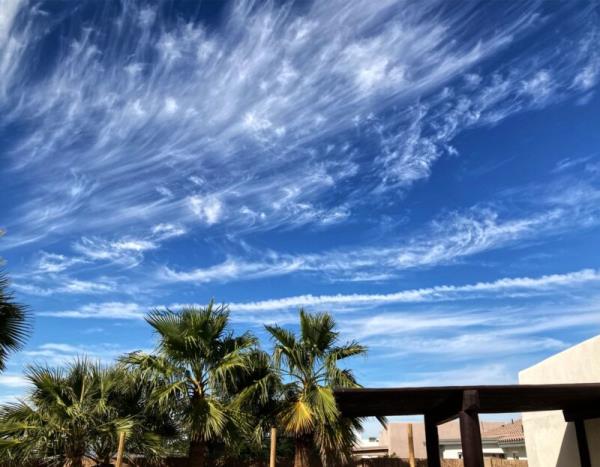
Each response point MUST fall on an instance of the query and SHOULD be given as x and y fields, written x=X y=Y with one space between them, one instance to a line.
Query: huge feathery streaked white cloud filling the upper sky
x=257 y=131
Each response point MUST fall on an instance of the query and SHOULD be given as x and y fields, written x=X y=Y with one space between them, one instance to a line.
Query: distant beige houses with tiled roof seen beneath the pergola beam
x=500 y=439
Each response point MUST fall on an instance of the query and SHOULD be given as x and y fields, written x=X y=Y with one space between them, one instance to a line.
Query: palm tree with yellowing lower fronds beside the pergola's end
x=309 y=365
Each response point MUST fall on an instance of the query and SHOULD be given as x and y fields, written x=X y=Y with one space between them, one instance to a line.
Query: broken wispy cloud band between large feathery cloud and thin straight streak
x=447 y=240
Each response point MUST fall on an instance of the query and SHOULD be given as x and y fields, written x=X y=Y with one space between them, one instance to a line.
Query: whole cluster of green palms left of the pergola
x=204 y=392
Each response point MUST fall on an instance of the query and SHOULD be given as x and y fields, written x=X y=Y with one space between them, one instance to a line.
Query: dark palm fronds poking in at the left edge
x=14 y=325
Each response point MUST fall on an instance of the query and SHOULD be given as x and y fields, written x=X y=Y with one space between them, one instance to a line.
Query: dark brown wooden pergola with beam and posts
x=578 y=402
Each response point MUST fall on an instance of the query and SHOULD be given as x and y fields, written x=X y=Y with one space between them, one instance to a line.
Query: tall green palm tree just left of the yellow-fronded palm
x=194 y=371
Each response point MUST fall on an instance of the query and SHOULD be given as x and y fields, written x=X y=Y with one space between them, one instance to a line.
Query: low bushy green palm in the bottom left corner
x=72 y=414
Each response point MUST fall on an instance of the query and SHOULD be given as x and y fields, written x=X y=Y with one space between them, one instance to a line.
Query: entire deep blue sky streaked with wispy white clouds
x=428 y=172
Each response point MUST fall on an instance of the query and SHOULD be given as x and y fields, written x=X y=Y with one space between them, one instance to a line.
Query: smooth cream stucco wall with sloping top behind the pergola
x=550 y=441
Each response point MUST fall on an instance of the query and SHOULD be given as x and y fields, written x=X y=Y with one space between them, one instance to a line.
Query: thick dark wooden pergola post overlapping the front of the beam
x=470 y=431
